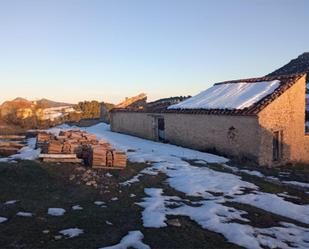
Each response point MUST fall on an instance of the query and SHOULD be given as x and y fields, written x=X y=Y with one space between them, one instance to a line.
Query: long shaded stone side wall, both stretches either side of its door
x=228 y=135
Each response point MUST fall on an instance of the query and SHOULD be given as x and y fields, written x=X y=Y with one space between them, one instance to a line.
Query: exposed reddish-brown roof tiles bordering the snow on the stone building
x=286 y=81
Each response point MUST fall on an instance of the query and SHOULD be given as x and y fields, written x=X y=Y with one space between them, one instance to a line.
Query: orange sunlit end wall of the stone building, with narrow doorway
x=286 y=114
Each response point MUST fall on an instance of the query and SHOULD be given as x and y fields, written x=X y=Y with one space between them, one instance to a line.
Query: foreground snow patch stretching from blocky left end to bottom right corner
x=214 y=216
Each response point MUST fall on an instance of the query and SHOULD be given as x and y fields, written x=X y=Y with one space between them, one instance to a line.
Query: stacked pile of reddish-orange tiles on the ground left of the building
x=75 y=146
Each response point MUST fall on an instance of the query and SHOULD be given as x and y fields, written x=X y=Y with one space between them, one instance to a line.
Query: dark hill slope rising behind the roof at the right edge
x=297 y=65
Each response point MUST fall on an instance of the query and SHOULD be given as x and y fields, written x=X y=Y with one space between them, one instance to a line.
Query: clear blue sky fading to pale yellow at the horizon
x=71 y=50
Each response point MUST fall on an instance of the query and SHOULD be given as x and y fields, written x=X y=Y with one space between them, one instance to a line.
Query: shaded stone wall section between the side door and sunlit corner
x=228 y=135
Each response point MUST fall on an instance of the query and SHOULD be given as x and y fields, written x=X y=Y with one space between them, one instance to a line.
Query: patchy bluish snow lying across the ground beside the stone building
x=216 y=191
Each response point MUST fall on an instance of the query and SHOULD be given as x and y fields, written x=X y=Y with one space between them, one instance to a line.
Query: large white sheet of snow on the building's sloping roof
x=237 y=95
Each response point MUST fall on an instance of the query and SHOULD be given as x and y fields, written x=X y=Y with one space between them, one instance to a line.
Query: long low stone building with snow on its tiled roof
x=261 y=120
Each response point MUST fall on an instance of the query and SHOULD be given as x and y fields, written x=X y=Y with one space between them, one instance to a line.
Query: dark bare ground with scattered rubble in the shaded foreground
x=38 y=186
